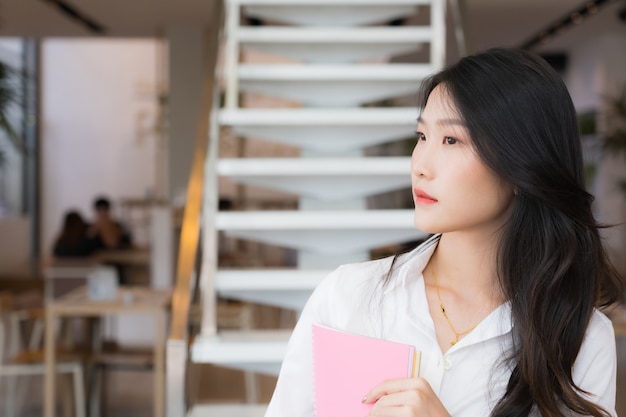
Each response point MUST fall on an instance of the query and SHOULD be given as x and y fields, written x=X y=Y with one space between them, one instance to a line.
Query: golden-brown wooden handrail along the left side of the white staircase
x=176 y=347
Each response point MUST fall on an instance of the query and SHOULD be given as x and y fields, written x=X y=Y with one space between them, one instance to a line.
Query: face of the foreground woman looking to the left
x=453 y=190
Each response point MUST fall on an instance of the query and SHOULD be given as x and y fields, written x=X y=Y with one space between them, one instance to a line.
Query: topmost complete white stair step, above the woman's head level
x=333 y=44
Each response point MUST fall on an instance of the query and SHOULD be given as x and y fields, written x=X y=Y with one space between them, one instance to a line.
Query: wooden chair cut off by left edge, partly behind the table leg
x=21 y=334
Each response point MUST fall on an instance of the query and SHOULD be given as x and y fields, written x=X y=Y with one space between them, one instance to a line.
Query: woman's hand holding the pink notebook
x=408 y=397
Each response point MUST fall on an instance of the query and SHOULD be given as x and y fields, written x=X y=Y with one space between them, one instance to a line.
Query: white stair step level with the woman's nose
x=321 y=178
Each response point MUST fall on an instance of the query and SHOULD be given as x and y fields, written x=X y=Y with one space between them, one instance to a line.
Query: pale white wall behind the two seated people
x=97 y=105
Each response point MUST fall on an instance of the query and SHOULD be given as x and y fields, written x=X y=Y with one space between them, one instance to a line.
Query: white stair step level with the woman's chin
x=323 y=232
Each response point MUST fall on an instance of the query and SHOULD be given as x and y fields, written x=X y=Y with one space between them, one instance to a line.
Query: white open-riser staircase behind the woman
x=333 y=61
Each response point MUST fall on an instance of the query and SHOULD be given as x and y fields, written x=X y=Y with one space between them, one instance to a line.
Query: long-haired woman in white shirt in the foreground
x=502 y=300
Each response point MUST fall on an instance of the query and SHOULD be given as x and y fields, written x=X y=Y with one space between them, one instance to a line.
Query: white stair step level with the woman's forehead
x=324 y=130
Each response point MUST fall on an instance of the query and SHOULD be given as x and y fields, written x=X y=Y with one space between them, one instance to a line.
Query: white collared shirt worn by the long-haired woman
x=469 y=378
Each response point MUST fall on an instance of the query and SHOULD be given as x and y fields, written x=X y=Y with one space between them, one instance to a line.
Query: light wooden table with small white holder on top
x=138 y=300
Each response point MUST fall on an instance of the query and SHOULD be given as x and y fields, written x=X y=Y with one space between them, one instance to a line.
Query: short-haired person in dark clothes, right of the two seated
x=106 y=232
